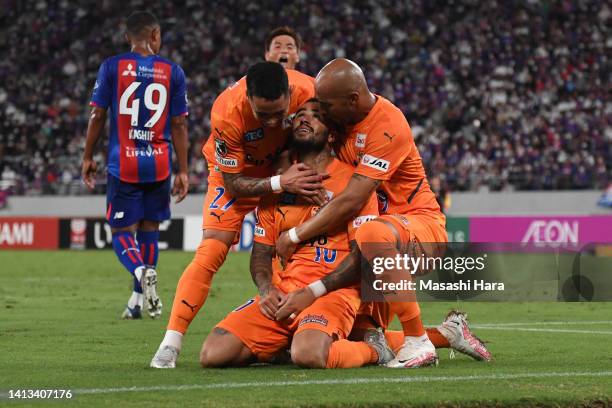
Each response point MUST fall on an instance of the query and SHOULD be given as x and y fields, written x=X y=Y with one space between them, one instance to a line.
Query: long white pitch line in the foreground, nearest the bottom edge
x=351 y=381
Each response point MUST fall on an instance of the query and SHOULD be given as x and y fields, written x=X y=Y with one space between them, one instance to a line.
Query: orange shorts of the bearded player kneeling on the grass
x=333 y=313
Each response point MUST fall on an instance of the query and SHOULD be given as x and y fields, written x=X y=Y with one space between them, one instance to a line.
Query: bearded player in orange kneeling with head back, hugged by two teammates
x=317 y=335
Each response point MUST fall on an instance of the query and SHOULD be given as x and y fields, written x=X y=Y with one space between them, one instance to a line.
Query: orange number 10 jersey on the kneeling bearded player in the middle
x=321 y=255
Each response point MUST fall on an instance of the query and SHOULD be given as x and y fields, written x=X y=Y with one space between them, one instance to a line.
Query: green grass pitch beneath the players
x=60 y=329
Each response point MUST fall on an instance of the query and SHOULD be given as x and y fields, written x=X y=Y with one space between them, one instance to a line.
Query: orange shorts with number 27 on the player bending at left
x=221 y=211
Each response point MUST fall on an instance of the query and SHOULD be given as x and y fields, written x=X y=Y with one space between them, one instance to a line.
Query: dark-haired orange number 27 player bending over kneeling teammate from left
x=250 y=127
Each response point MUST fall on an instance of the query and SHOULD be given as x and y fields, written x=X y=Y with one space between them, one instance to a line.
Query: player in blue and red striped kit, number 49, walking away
x=147 y=100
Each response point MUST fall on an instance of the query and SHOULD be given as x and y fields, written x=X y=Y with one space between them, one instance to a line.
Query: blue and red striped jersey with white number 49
x=143 y=93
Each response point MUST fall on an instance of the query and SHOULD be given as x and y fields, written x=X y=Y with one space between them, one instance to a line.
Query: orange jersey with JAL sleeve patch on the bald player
x=381 y=147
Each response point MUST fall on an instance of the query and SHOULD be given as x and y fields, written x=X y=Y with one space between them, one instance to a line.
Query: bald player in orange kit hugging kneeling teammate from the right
x=376 y=140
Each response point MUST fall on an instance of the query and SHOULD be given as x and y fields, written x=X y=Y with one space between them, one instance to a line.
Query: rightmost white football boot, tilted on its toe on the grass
x=456 y=330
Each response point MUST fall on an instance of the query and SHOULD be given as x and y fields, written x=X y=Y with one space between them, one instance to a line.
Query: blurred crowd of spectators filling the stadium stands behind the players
x=500 y=94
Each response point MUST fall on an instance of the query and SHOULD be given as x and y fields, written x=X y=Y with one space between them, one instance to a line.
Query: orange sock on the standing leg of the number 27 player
x=192 y=288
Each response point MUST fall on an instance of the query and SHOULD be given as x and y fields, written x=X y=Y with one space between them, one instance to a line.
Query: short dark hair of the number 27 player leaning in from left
x=267 y=80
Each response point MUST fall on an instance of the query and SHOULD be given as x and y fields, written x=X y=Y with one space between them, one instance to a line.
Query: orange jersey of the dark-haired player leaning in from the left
x=238 y=143
